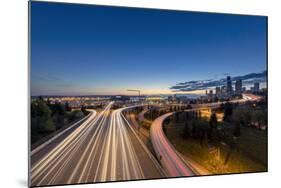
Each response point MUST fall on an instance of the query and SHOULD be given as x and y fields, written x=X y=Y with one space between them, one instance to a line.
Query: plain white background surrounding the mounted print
x=14 y=92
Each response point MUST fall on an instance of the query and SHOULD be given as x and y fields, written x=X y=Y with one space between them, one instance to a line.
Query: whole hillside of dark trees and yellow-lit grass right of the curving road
x=236 y=144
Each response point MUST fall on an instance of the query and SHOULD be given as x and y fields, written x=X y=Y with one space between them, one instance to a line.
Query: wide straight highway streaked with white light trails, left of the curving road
x=102 y=148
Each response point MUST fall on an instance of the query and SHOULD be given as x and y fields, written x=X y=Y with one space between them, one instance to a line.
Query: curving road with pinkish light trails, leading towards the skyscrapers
x=168 y=156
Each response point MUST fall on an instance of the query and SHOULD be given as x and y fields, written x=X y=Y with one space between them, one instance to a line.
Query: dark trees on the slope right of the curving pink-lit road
x=212 y=133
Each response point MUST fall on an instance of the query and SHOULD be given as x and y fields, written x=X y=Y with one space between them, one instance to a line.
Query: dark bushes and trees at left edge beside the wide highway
x=46 y=118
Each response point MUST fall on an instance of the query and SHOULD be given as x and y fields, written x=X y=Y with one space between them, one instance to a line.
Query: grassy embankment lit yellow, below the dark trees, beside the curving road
x=249 y=156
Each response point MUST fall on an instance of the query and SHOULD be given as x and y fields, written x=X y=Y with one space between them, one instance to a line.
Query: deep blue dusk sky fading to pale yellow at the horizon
x=100 y=50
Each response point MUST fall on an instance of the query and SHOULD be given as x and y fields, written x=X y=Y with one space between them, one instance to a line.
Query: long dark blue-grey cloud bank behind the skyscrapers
x=211 y=83
